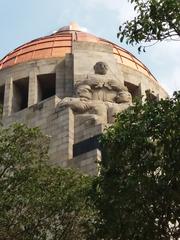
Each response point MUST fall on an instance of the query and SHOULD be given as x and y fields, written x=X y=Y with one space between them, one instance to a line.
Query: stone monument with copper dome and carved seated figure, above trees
x=71 y=84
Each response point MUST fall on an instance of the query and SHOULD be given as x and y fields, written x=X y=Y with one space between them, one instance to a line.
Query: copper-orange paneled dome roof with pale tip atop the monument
x=60 y=43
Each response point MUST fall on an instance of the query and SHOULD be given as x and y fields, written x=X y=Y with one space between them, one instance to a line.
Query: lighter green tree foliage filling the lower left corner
x=38 y=201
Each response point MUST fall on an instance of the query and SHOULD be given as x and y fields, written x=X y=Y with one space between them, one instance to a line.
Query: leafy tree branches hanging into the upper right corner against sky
x=156 y=20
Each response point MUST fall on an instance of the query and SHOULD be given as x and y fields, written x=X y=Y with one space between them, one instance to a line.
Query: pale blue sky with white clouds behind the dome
x=25 y=20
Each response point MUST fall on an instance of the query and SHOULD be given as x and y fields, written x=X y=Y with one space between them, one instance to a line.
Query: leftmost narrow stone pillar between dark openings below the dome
x=8 y=97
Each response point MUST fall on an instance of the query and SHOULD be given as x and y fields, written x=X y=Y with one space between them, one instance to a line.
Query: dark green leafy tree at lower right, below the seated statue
x=138 y=190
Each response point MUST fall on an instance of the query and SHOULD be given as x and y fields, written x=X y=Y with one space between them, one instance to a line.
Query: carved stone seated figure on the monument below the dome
x=99 y=95
